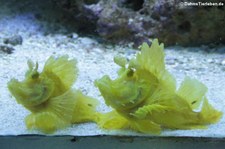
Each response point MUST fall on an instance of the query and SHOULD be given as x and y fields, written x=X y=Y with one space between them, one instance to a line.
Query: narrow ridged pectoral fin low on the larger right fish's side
x=142 y=112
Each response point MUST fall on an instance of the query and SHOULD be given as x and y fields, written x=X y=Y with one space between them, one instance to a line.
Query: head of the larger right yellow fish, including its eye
x=123 y=93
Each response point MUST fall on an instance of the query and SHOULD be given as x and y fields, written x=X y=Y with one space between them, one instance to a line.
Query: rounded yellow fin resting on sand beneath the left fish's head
x=45 y=121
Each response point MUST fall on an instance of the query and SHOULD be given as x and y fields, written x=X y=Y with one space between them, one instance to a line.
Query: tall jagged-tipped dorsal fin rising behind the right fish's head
x=152 y=60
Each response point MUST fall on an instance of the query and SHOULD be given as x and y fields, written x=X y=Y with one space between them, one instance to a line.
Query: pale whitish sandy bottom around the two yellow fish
x=94 y=60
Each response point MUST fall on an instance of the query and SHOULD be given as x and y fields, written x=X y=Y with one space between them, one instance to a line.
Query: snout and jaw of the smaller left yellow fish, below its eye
x=27 y=94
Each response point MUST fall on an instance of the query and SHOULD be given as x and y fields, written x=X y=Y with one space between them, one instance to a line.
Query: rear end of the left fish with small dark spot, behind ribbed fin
x=85 y=109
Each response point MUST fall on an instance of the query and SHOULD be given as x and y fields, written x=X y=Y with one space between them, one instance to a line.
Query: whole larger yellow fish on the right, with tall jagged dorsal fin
x=145 y=98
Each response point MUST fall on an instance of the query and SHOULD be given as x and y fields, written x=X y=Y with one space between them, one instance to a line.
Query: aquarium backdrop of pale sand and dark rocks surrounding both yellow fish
x=94 y=32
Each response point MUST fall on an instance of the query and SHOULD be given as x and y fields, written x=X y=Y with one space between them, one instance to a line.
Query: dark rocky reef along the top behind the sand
x=173 y=22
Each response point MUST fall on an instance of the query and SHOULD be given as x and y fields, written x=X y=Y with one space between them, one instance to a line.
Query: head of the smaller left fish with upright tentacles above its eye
x=33 y=90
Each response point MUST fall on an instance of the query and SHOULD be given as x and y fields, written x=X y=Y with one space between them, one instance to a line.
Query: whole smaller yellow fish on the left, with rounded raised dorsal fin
x=50 y=97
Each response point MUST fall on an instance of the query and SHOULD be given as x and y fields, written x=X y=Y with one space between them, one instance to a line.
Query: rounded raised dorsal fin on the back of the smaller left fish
x=63 y=68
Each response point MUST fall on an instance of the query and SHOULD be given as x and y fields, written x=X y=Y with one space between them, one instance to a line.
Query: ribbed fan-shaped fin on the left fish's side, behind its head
x=63 y=105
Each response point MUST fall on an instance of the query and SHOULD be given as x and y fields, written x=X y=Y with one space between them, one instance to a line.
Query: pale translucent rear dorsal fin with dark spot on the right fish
x=192 y=91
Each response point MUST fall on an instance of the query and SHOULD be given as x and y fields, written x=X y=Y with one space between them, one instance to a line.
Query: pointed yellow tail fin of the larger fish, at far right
x=209 y=114
